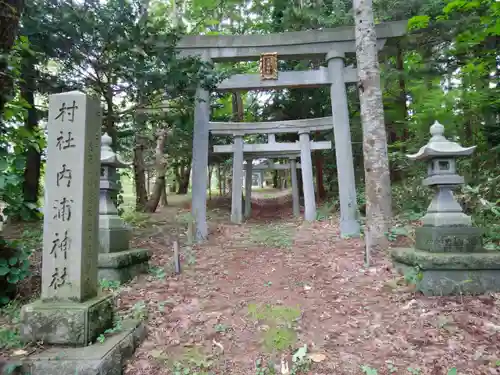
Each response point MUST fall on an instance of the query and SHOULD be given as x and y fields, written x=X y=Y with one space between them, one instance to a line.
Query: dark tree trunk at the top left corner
x=10 y=13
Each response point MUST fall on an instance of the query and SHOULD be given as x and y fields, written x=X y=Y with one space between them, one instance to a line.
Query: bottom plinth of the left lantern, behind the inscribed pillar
x=123 y=266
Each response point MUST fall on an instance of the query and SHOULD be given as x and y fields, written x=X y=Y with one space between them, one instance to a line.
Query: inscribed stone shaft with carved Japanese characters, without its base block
x=70 y=243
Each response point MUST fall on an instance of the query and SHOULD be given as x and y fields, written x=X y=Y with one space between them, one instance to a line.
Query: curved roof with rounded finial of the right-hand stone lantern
x=439 y=146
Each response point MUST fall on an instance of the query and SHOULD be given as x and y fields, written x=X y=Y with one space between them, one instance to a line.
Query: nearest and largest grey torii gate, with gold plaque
x=332 y=45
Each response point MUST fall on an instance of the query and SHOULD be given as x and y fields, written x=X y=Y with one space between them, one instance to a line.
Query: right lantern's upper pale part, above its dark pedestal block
x=441 y=155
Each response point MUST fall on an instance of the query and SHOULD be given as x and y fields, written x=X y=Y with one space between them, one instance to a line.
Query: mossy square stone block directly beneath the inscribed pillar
x=66 y=322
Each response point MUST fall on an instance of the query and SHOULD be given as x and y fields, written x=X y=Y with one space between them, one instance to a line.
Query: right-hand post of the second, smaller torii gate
x=307 y=176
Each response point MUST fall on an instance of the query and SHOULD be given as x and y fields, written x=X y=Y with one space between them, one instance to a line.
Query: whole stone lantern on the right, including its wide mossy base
x=448 y=256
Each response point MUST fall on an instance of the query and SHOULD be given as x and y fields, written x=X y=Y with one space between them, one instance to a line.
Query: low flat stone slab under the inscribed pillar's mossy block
x=106 y=358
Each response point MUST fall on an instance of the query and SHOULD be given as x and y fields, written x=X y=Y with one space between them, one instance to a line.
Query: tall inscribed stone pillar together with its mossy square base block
x=70 y=310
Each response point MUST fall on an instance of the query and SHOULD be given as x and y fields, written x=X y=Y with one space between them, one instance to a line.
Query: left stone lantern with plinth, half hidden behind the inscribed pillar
x=117 y=262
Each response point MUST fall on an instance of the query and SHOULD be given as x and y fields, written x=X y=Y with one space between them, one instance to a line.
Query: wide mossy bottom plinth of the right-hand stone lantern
x=442 y=274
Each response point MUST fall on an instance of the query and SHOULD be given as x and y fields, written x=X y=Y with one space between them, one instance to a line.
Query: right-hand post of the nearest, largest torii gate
x=349 y=225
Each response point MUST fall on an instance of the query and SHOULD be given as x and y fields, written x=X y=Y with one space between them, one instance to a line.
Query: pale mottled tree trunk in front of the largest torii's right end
x=376 y=162
